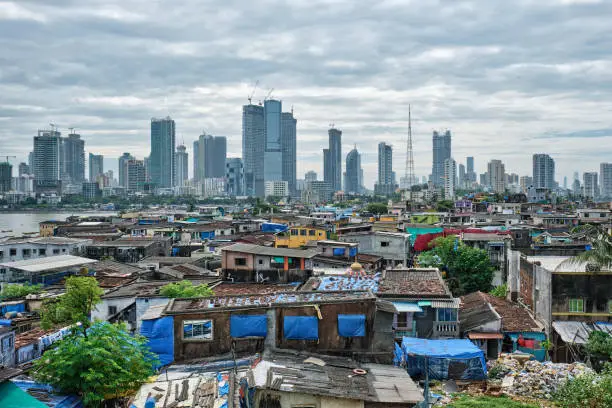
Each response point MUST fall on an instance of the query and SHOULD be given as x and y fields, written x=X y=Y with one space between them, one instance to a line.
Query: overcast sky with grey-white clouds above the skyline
x=508 y=78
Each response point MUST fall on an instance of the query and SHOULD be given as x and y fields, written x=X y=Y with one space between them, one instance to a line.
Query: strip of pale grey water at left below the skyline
x=23 y=222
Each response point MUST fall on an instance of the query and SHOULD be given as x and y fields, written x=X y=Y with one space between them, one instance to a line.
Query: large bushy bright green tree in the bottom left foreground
x=105 y=364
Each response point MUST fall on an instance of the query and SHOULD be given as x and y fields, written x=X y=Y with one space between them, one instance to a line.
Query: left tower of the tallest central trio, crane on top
x=253 y=139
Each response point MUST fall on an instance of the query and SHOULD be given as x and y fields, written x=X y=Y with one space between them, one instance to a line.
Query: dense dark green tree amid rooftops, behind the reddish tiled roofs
x=467 y=269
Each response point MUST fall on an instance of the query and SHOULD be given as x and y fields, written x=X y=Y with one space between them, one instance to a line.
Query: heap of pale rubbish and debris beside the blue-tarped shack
x=534 y=379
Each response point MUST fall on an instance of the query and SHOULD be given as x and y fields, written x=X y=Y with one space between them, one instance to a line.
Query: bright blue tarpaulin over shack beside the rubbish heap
x=445 y=359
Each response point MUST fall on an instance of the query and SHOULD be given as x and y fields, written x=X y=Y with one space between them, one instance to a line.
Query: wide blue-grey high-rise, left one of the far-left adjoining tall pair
x=47 y=154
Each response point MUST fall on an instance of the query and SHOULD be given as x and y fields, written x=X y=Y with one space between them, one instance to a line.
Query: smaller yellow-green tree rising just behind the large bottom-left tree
x=82 y=295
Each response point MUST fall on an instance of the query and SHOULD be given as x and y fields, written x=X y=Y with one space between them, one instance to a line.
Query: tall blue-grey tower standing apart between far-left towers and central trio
x=163 y=143
